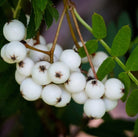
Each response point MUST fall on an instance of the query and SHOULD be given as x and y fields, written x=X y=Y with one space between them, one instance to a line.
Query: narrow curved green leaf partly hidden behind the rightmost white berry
x=126 y=80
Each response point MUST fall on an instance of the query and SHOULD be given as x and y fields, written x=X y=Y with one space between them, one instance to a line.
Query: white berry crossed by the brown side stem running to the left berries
x=38 y=56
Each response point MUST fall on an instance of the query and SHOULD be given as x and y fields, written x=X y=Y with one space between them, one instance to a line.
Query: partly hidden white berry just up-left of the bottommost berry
x=80 y=97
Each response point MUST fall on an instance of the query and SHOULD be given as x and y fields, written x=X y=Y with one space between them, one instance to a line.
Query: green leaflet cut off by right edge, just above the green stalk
x=132 y=62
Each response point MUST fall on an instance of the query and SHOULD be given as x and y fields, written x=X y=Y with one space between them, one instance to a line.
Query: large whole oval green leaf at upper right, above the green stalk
x=121 y=41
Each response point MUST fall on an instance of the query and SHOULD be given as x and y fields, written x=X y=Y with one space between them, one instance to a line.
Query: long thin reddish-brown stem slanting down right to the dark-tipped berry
x=81 y=38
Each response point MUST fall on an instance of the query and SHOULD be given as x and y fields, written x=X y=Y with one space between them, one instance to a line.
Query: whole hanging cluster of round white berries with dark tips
x=62 y=80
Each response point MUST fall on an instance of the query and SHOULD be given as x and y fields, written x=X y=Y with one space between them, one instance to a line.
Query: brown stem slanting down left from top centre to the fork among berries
x=57 y=33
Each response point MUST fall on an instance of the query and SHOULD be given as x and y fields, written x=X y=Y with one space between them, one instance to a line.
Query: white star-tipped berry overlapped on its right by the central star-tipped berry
x=40 y=73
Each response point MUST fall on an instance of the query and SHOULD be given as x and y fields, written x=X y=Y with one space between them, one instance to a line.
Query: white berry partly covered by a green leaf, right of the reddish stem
x=98 y=58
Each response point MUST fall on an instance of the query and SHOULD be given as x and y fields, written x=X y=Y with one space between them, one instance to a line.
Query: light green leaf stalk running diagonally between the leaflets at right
x=105 y=45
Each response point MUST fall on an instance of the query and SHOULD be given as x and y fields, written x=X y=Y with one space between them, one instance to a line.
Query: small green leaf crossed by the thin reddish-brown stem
x=91 y=46
